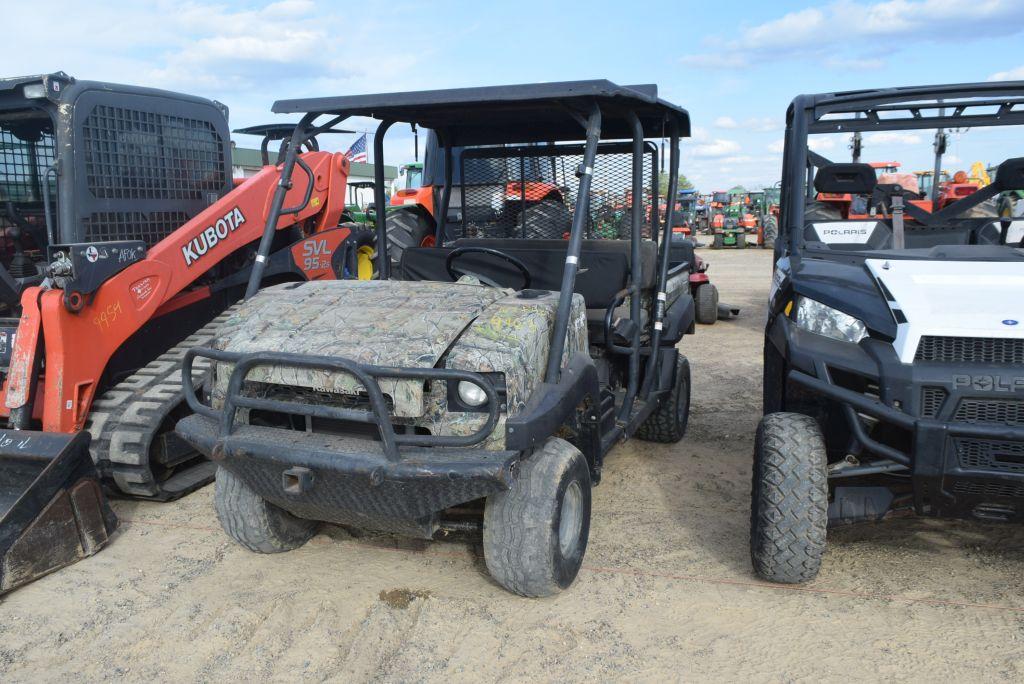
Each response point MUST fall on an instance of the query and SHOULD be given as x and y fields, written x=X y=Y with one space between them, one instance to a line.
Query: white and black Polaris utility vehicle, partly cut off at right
x=894 y=351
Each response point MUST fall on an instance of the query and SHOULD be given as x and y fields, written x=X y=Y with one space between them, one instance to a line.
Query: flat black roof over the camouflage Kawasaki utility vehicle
x=494 y=115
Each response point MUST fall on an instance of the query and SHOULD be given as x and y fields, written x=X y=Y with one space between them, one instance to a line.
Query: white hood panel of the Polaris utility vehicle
x=953 y=298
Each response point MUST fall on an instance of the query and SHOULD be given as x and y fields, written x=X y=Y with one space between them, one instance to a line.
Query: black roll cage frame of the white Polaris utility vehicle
x=940 y=107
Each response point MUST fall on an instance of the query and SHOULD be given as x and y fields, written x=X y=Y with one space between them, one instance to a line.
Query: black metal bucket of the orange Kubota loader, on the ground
x=53 y=511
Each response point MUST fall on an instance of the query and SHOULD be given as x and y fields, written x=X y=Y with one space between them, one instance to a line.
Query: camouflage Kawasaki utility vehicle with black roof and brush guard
x=479 y=388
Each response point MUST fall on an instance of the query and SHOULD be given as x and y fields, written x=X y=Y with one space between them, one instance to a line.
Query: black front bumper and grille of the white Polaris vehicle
x=959 y=468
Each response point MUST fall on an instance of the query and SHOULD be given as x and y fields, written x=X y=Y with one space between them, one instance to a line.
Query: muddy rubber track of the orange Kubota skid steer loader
x=126 y=418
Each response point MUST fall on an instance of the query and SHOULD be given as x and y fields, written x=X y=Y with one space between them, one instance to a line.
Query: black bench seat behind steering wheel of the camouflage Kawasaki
x=604 y=265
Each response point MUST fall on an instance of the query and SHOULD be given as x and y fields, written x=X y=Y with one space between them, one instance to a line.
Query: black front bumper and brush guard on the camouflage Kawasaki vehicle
x=400 y=484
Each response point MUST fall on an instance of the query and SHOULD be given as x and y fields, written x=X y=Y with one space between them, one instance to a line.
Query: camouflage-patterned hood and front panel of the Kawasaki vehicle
x=379 y=323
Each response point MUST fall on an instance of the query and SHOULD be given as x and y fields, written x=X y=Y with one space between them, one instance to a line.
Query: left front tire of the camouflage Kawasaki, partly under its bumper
x=253 y=522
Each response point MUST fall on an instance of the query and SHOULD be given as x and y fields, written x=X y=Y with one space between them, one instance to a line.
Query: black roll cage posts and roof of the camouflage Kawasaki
x=501 y=115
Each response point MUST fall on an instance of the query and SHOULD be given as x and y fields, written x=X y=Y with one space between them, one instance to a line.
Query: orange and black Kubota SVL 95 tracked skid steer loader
x=123 y=241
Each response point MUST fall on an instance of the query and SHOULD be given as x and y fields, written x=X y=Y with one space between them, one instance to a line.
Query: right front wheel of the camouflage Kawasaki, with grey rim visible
x=535 y=535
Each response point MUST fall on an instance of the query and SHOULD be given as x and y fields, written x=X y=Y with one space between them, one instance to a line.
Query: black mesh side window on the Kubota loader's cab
x=134 y=155
